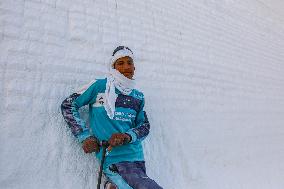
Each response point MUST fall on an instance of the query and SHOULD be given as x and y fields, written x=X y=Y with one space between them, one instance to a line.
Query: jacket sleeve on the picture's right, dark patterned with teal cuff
x=142 y=129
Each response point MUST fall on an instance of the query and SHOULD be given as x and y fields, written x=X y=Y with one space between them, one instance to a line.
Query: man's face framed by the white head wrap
x=125 y=66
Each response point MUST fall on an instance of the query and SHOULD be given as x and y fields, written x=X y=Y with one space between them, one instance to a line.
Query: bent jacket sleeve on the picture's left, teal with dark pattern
x=70 y=111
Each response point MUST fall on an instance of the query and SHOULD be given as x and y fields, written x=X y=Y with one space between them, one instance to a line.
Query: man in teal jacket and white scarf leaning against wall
x=117 y=116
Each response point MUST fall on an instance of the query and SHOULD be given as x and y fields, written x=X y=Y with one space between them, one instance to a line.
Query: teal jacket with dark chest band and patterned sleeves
x=129 y=118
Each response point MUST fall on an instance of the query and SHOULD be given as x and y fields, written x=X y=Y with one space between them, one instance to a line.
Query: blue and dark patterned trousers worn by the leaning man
x=130 y=175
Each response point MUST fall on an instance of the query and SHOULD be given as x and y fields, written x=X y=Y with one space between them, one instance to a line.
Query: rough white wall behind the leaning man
x=211 y=71
